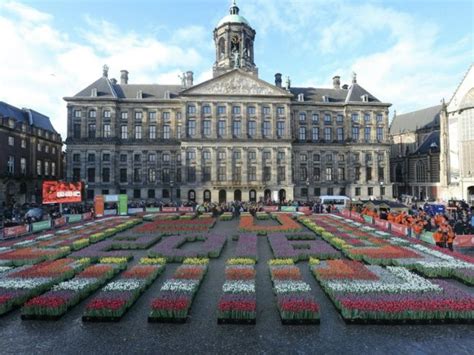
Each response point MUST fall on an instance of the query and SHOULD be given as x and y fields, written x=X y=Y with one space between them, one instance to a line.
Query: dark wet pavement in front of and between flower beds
x=201 y=334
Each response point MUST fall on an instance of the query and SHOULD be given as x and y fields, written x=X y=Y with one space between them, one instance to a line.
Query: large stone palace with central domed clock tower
x=233 y=137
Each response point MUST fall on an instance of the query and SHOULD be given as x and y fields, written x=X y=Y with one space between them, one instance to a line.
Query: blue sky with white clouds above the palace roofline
x=411 y=53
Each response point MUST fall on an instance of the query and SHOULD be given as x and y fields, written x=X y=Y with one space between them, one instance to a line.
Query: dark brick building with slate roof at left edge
x=30 y=152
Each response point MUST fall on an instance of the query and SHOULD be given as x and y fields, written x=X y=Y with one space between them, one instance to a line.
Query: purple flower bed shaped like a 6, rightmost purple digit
x=303 y=249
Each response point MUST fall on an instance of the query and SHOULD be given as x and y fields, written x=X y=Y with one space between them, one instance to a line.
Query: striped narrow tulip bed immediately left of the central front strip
x=176 y=295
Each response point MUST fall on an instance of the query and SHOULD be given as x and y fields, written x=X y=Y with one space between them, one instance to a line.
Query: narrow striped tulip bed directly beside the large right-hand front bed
x=295 y=301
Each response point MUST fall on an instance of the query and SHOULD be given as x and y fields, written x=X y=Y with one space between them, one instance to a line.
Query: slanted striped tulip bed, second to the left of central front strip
x=118 y=296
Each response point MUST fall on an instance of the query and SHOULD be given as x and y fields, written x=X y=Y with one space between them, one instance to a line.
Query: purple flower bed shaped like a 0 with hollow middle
x=169 y=247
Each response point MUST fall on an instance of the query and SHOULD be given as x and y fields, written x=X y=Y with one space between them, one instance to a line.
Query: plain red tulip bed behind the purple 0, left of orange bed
x=198 y=225
